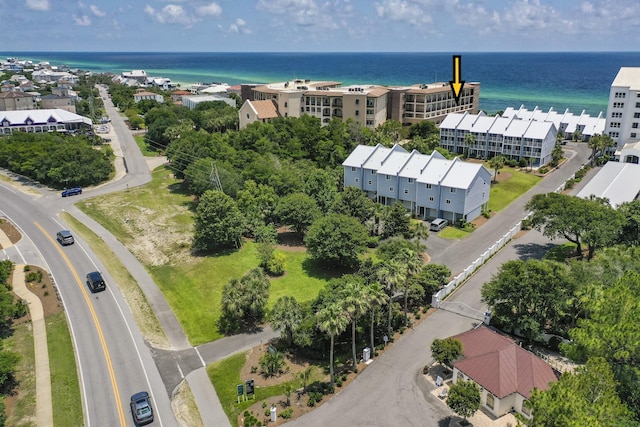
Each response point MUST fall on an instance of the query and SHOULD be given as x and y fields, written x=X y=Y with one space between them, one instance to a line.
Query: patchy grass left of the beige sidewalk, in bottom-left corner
x=24 y=408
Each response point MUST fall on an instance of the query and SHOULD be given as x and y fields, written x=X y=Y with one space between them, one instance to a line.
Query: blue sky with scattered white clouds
x=319 y=25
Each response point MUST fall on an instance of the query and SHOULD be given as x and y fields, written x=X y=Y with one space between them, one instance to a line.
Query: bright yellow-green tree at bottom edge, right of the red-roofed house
x=584 y=398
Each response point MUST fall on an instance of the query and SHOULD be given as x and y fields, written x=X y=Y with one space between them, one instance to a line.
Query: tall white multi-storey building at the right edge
x=623 y=112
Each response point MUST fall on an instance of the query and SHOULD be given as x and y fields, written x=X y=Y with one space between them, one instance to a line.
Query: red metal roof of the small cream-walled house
x=501 y=366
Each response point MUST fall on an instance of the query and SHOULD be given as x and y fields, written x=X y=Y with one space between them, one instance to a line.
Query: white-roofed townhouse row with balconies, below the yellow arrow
x=511 y=137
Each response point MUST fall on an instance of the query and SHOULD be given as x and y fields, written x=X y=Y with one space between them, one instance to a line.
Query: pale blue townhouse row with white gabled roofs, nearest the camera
x=429 y=186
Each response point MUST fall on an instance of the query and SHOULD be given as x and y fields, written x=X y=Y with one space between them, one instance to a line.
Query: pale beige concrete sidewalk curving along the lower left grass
x=44 y=406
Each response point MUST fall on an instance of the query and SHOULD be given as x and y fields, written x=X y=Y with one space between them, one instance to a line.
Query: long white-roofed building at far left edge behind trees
x=56 y=120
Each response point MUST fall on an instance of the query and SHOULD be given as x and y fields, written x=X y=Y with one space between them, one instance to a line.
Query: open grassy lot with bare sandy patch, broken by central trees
x=155 y=222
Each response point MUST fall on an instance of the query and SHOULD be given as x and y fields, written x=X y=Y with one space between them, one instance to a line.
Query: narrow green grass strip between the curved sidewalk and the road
x=67 y=405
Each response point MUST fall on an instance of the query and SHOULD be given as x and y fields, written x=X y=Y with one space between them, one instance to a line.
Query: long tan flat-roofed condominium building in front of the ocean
x=369 y=105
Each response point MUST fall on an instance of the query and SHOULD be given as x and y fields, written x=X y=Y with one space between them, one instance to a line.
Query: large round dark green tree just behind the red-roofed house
x=529 y=296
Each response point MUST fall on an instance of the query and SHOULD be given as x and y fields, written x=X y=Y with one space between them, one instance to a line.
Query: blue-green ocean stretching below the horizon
x=574 y=80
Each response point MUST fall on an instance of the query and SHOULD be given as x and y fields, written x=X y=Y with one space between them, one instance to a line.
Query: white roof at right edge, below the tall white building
x=618 y=182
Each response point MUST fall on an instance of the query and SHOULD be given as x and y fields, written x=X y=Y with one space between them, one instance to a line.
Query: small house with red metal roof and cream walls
x=505 y=372
